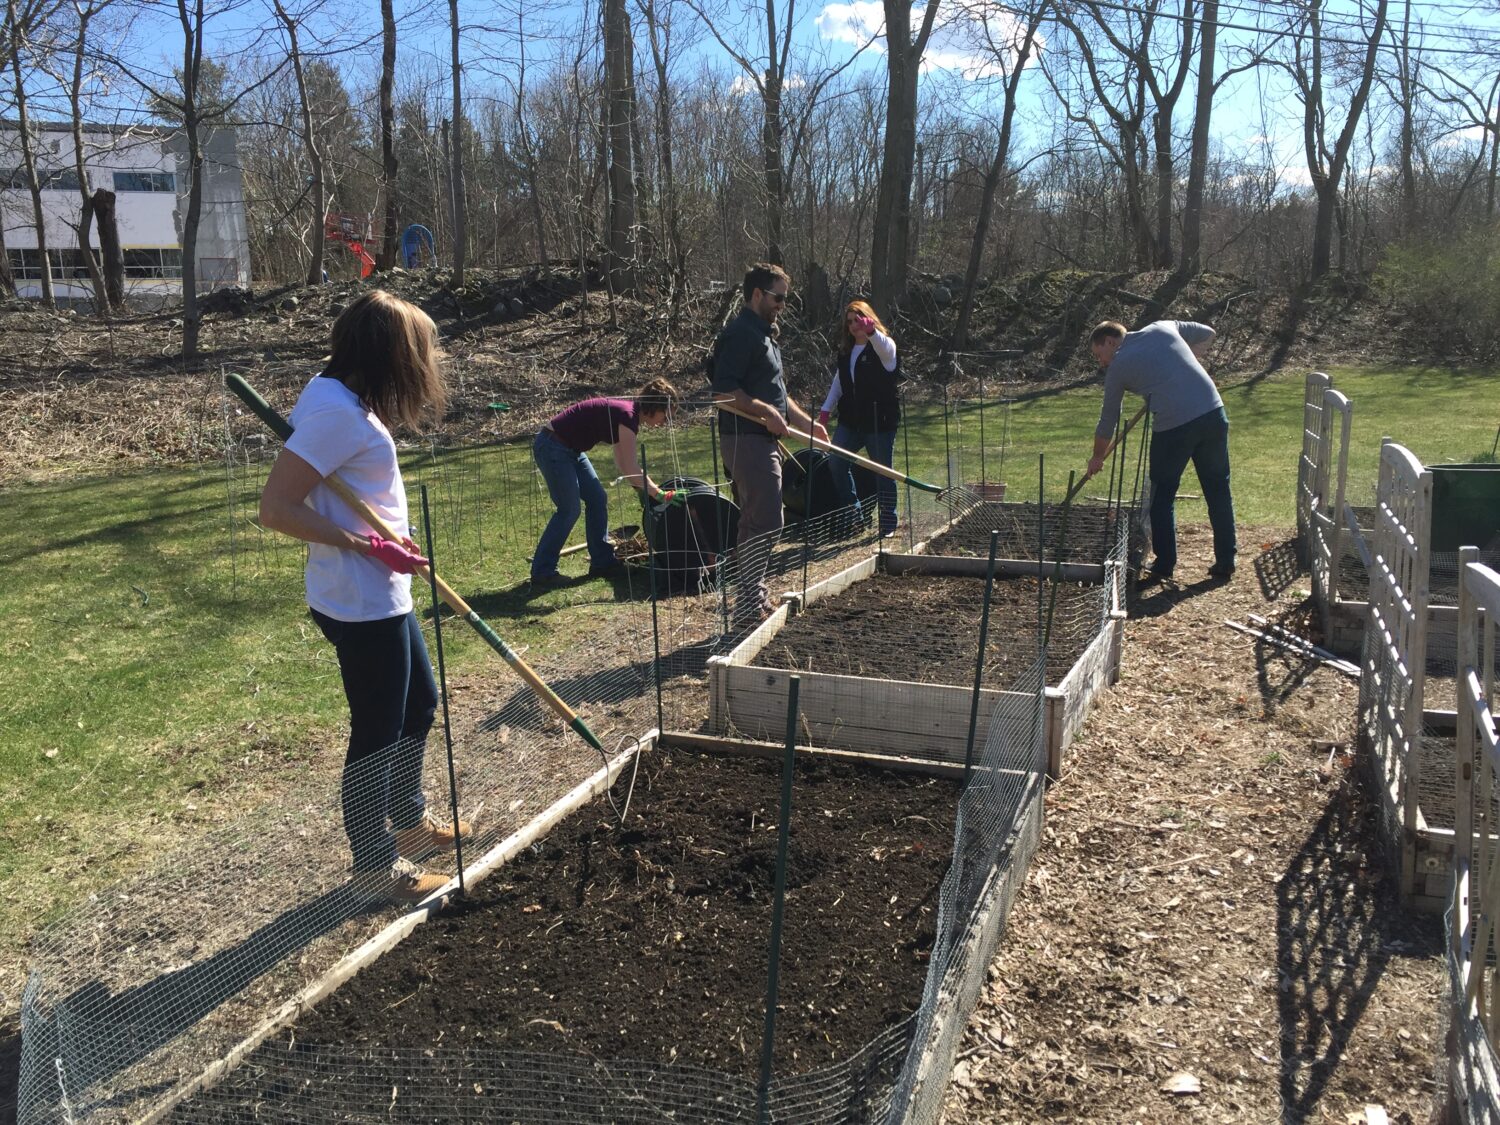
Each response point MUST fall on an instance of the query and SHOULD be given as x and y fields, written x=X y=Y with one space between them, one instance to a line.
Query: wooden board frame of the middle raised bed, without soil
x=875 y=716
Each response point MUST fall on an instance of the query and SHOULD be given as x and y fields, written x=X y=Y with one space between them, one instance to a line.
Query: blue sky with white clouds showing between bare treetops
x=1255 y=112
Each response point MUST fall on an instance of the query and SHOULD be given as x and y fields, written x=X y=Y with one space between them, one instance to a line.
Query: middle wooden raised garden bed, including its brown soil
x=887 y=661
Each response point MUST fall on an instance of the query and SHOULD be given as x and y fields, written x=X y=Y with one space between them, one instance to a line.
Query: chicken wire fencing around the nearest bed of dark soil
x=152 y=983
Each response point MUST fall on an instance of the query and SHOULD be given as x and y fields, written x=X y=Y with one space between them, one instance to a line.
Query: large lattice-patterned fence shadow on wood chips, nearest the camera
x=1339 y=928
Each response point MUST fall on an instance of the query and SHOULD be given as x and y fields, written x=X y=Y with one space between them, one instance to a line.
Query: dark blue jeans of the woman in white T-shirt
x=388 y=682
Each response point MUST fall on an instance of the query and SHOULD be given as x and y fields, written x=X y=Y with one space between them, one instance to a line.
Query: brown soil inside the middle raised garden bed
x=877 y=626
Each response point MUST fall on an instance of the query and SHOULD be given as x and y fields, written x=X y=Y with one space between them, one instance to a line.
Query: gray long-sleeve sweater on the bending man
x=1159 y=365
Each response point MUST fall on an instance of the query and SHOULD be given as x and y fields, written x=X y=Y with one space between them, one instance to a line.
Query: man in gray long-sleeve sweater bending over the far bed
x=1189 y=424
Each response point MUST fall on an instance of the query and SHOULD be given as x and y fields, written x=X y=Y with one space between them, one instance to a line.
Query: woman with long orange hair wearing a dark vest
x=865 y=394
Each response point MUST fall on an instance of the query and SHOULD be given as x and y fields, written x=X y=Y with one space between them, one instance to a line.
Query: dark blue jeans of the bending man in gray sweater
x=1205 y=443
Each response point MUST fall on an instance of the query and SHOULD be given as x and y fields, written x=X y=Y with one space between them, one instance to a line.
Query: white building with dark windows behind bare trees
x=146 y=169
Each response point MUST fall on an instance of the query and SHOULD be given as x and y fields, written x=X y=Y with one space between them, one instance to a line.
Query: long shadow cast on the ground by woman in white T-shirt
x=95 y=1036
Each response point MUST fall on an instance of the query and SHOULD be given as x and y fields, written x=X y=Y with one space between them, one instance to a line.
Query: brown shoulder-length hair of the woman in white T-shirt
x=386 y=352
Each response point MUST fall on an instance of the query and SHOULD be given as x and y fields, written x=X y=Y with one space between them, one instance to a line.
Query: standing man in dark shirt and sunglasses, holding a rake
x=748 y=374
